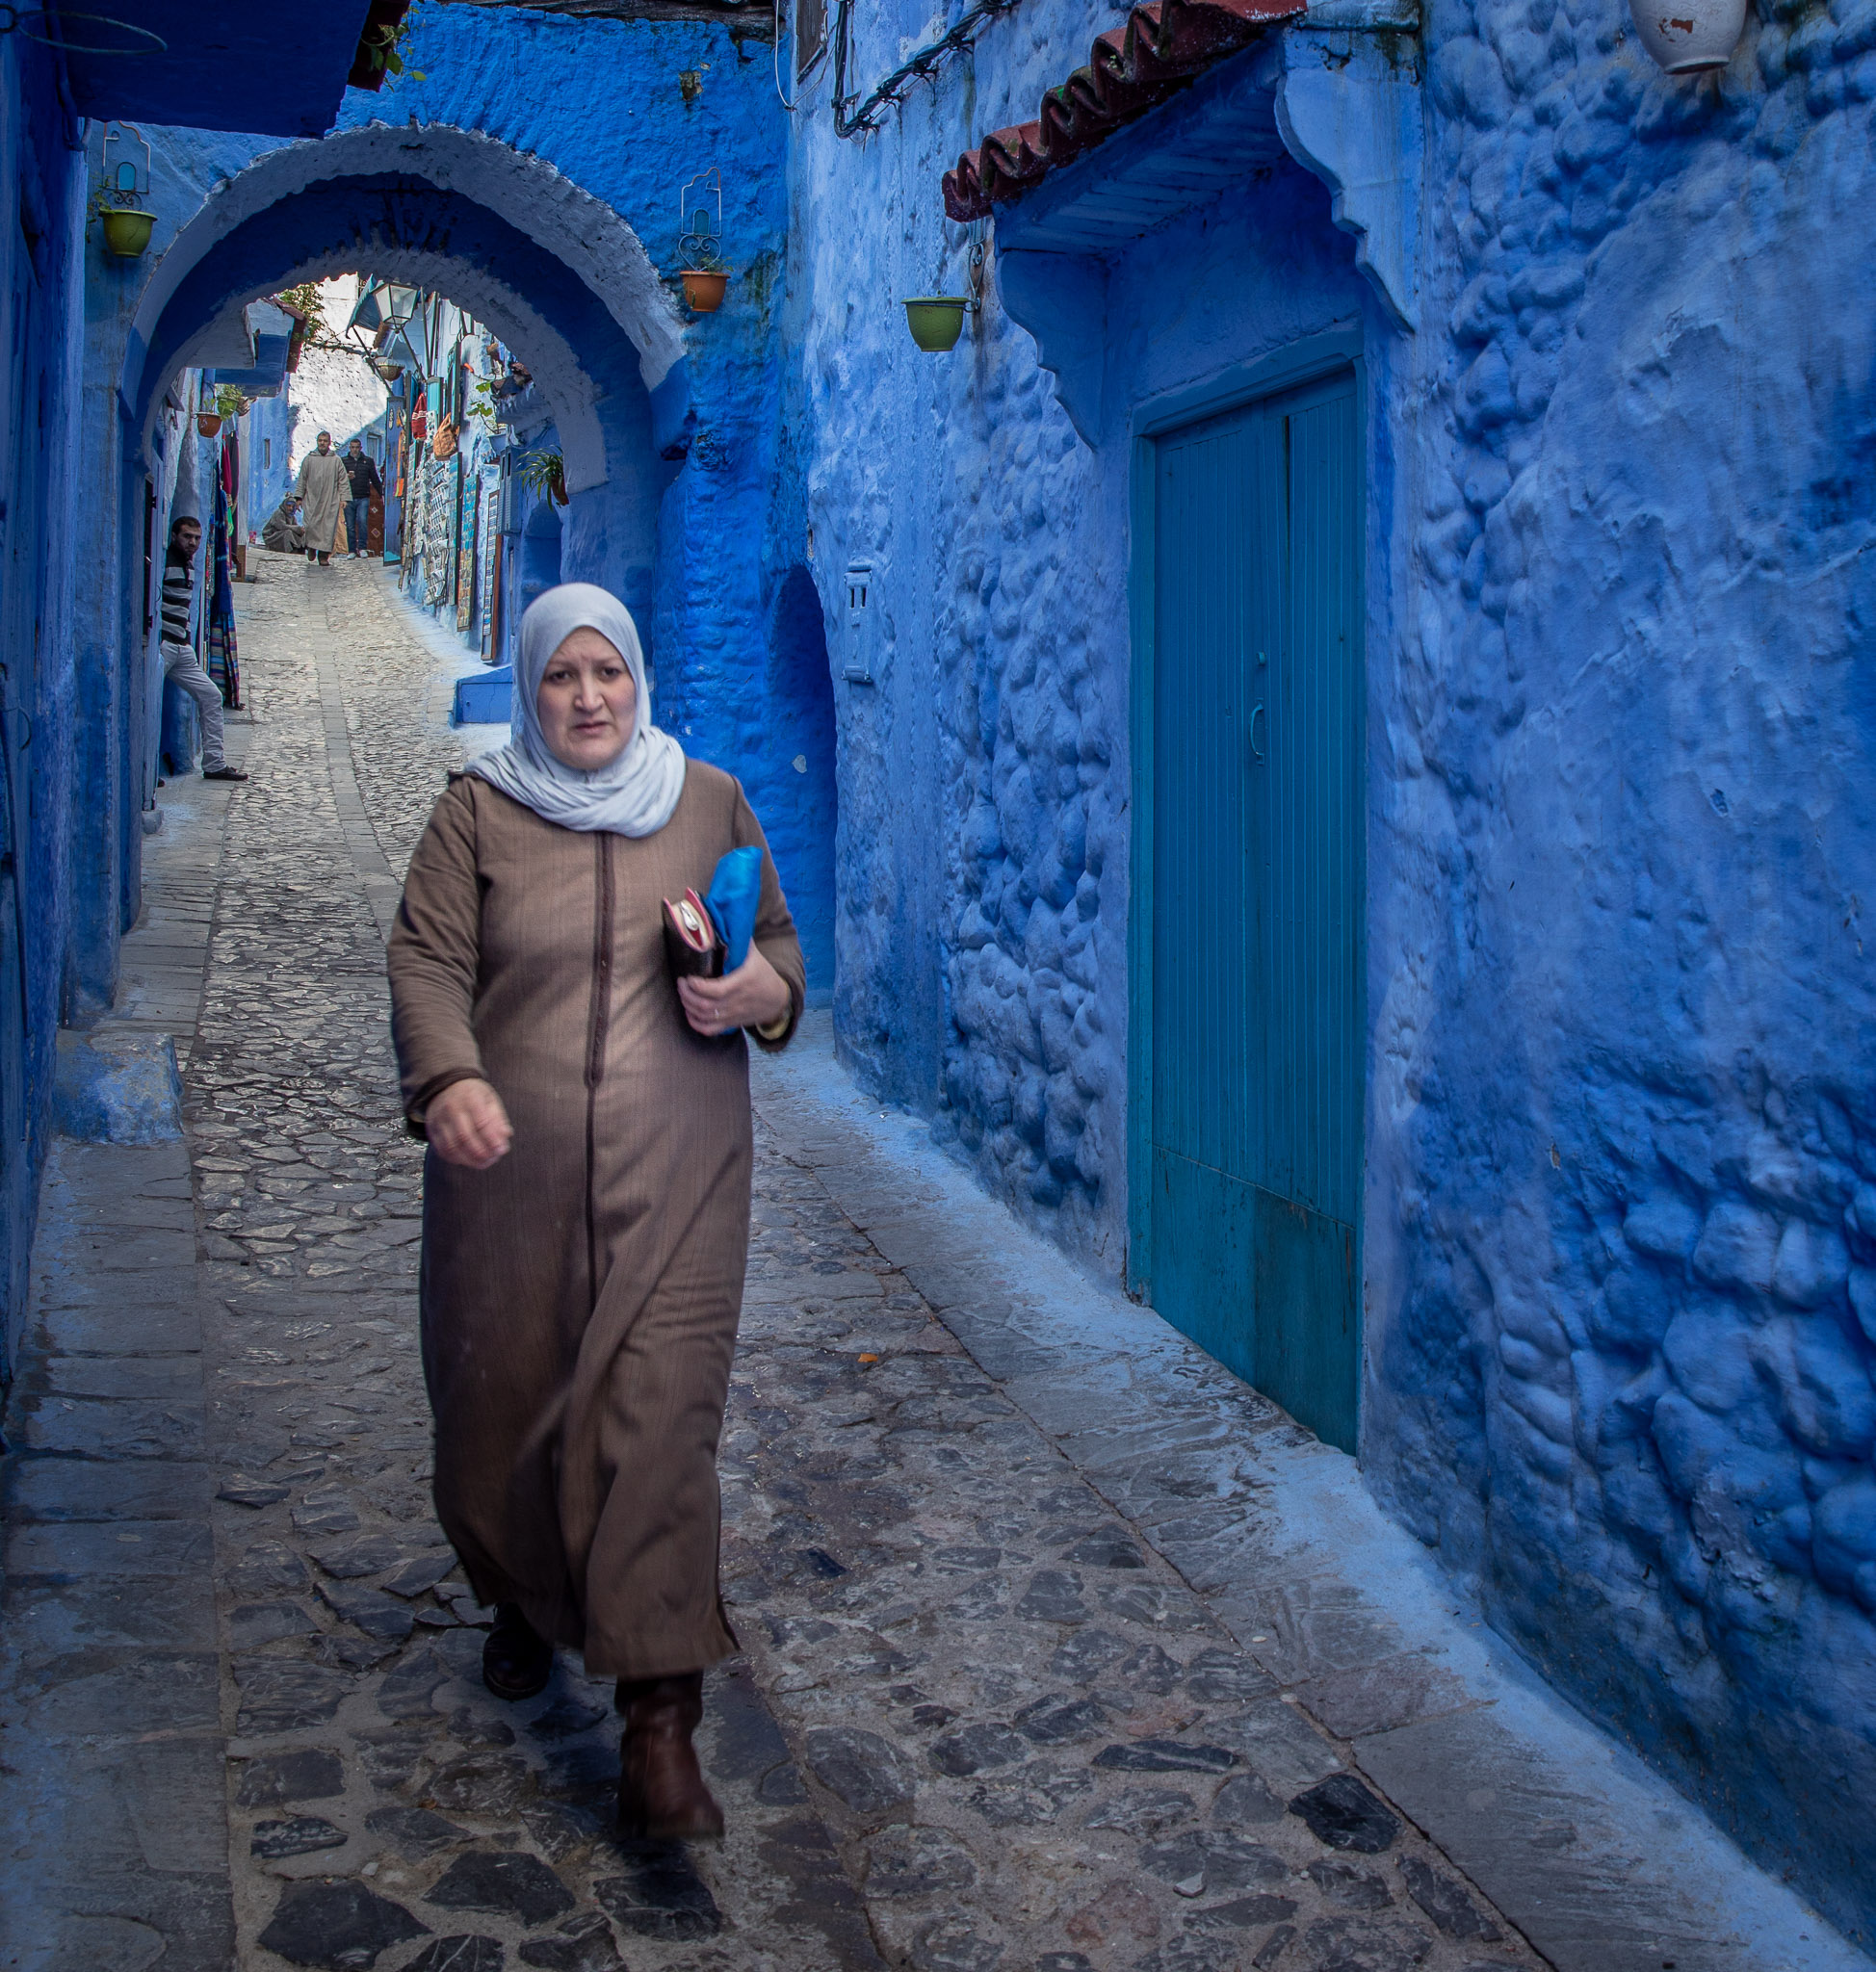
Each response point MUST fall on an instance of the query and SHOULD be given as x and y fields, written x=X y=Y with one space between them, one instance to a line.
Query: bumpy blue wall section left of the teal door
x=983 y=861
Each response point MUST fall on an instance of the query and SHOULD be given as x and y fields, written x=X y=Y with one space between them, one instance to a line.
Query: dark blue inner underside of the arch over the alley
x=382 y=222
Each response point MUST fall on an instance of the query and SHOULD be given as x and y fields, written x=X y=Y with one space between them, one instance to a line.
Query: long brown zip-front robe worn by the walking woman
x=581 y=1297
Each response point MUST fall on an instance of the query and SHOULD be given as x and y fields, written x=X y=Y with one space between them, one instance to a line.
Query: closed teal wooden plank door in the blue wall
x=1258 y=896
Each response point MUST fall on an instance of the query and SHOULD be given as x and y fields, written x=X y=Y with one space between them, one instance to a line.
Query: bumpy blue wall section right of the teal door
x=1623 y=1105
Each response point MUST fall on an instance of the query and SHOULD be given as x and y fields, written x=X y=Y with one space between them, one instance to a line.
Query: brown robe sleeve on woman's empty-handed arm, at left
x=435 y=959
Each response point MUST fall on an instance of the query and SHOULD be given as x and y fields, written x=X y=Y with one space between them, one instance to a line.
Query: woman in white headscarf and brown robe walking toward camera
x=587 y=1196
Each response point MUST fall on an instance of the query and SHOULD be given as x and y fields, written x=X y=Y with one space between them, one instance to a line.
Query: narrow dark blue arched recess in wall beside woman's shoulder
x=802 y=808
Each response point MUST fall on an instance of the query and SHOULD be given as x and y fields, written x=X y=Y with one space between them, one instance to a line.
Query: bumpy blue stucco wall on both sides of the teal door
x=1621 y=1232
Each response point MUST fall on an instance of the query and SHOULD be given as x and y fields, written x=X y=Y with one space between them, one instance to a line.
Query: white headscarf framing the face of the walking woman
x=638 y=792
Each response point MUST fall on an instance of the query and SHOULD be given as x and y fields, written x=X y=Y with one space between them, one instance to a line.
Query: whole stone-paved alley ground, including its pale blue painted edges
x=1064 y=1650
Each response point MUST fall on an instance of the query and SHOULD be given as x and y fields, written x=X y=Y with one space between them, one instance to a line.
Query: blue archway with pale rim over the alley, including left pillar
x=549 y=267
